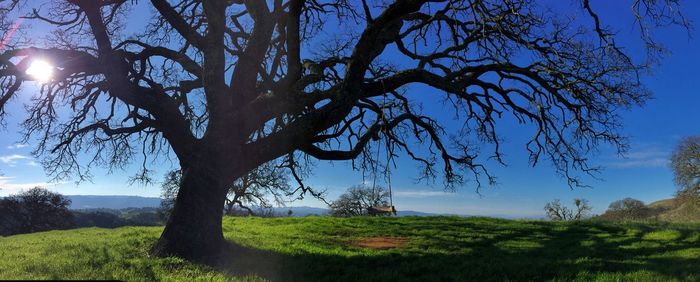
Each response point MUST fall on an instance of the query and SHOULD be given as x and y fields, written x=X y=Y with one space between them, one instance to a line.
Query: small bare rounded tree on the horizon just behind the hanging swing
x=357 y=199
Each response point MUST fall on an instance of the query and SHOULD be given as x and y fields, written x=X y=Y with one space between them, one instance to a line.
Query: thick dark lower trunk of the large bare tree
x=193 y=231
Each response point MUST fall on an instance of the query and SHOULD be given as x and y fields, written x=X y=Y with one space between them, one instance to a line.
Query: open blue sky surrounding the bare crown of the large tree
x=654 y=130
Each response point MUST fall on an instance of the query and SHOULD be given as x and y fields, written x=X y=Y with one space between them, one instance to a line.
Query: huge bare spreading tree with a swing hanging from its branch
x=222 y=87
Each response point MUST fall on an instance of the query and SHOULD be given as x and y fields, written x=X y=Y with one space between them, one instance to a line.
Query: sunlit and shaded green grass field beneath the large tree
x=325 y=248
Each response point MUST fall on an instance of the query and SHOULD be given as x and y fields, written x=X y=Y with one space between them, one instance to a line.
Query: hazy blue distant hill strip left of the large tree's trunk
x=112 y=202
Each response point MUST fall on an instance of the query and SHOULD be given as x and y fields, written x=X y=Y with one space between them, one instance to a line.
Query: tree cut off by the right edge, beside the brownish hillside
x=685 y=163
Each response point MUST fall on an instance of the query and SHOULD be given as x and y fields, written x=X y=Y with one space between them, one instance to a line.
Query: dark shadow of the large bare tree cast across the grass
x=537 y=252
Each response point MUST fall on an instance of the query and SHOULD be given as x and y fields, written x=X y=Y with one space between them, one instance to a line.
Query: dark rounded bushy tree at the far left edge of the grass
x=34 y=210
